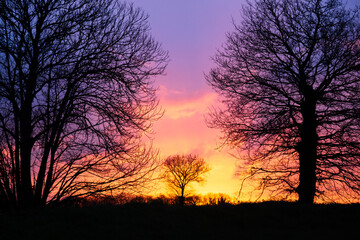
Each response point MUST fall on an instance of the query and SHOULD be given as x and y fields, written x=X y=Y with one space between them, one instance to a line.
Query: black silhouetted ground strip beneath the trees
x=141 y=221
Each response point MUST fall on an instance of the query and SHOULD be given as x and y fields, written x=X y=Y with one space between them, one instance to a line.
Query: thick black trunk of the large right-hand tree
x=307 y=149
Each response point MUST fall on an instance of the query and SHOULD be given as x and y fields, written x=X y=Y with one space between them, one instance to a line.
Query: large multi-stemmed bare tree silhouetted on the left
x=75 y=98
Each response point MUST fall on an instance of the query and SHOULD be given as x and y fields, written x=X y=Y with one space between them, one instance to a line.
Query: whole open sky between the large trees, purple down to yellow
x=192 y=31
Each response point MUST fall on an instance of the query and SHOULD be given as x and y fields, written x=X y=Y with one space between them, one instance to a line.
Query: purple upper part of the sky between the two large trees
x=191 y=30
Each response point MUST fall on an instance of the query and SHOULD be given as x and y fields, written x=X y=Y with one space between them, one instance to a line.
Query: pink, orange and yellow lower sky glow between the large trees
x=183 y=130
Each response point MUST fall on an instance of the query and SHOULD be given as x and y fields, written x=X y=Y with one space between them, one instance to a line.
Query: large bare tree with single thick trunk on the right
x=289 y=75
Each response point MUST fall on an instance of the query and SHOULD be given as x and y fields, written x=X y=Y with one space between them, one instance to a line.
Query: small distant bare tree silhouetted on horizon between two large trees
x=181 y=170
